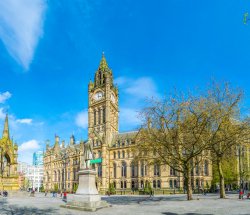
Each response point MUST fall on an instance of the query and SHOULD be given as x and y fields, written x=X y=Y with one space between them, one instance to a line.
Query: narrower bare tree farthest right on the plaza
x=227 y=129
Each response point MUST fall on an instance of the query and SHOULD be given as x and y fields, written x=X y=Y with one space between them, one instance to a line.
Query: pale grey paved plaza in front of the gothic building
x=165 y=205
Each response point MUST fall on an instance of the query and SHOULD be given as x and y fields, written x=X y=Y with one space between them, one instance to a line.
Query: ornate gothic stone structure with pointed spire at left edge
x=8 y=161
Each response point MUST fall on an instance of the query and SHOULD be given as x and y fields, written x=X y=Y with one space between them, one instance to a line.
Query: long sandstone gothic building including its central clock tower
x=113 y=154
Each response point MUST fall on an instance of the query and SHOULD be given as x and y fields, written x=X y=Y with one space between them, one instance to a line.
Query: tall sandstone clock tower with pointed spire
x=102 y=116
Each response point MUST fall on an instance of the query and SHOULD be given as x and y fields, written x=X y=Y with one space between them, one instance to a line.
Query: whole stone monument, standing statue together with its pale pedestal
x=86 y=197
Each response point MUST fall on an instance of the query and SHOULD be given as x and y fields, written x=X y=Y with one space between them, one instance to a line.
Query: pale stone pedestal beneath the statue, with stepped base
x=86 y=197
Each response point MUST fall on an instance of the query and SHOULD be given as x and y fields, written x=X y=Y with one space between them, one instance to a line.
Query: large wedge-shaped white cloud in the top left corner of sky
x=21 y=26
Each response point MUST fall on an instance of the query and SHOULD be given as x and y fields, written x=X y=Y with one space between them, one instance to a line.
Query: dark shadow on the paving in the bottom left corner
x=7 y=209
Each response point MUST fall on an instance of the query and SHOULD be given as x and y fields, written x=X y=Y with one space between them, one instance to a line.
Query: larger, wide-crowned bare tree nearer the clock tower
x=176 y=130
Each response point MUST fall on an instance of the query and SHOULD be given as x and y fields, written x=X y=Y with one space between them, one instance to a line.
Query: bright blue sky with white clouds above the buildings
x=49 y=50
